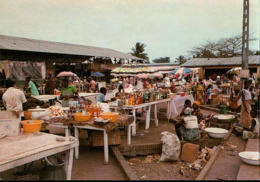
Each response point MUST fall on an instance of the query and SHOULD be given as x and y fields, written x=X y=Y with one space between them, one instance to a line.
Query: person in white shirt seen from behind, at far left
x=13 y=98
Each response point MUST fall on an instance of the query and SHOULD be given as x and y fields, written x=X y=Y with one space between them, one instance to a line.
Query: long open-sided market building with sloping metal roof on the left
x=18 y=55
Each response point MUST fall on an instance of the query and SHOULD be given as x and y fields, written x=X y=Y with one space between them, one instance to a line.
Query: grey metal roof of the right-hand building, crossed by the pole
x=233 y=61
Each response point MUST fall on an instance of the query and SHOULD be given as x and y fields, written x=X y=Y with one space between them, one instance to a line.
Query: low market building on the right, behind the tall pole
x=210 y=66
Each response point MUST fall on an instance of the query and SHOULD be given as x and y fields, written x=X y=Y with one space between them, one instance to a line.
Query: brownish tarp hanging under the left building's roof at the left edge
x=19 y=70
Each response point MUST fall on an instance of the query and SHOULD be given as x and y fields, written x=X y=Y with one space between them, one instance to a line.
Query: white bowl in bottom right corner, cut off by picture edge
x=252 y=158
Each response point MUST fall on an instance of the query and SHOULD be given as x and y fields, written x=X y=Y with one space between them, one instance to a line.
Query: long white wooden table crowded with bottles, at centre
x=148 y=113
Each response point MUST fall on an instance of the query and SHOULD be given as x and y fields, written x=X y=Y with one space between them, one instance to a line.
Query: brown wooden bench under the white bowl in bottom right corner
x=246 y=171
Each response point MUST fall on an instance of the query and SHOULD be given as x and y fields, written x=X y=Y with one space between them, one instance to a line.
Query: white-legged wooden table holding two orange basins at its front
x=122 y=119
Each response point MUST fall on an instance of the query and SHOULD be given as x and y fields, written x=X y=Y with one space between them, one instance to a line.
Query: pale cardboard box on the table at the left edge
x=10 y=125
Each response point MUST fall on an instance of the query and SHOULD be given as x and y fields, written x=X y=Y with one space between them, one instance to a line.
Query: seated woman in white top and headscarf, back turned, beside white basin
x=187 y=128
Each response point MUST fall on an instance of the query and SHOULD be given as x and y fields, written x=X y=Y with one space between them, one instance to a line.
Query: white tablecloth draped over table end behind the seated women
x=177 y=104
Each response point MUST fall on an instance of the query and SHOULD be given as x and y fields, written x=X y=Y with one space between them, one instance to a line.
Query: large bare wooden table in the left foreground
x=27 y=147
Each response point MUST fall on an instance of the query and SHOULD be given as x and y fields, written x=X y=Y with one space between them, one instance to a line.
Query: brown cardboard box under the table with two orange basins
x=97 y=138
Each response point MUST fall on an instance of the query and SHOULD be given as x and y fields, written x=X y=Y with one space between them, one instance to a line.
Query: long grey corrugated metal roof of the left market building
x=32 y=45
